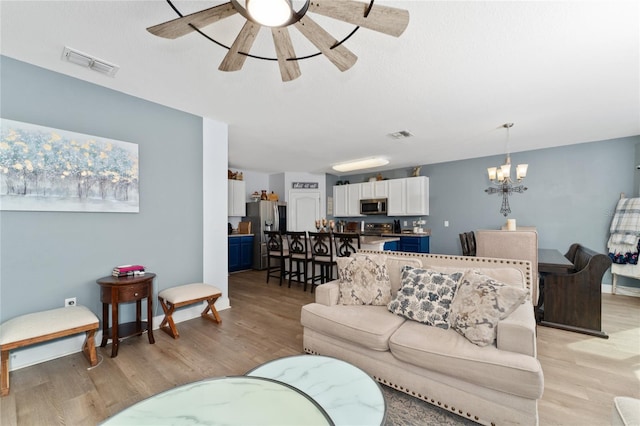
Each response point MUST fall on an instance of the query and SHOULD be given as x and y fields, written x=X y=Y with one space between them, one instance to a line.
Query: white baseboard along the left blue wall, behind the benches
x=35 y=354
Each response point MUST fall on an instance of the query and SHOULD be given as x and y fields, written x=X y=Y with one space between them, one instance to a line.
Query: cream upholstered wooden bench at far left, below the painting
x=42 y=326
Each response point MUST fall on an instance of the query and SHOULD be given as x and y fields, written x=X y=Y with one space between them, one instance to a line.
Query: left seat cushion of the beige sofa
x=367 y=326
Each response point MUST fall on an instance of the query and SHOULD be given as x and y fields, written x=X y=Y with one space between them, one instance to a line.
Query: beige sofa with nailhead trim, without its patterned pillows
x=496 y=384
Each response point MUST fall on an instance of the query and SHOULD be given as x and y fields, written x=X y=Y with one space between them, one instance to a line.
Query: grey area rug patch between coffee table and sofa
x=405 y=410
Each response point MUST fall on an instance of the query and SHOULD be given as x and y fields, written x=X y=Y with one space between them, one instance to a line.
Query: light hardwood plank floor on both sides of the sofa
x=582 y=373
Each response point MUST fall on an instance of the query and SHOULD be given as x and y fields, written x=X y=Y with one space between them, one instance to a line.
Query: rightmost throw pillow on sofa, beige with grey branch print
x=480 y=303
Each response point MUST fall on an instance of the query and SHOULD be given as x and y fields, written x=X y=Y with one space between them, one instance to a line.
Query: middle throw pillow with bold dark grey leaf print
x=425 y=296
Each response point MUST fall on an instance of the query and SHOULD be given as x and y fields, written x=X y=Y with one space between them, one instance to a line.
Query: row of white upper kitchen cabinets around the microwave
x=405 y=197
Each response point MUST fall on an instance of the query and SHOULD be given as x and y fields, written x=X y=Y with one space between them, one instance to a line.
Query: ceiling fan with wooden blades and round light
x=279 y=15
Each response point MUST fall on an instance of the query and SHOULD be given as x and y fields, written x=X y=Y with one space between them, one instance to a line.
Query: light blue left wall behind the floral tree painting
x=49 y=256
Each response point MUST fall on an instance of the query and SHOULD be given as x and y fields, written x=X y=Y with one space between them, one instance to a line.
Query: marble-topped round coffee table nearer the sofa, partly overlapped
x=348 y=394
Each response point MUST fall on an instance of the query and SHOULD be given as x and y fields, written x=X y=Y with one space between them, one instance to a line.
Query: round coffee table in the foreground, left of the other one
x=226 y=400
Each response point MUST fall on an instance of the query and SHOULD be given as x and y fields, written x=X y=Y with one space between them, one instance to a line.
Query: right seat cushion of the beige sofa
x=449 y=353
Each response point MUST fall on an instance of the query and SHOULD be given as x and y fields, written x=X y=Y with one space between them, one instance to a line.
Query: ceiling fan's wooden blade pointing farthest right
x=384 y=19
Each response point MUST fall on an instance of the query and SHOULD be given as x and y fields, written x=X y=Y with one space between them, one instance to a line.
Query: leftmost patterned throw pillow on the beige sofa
x=363 y=281
